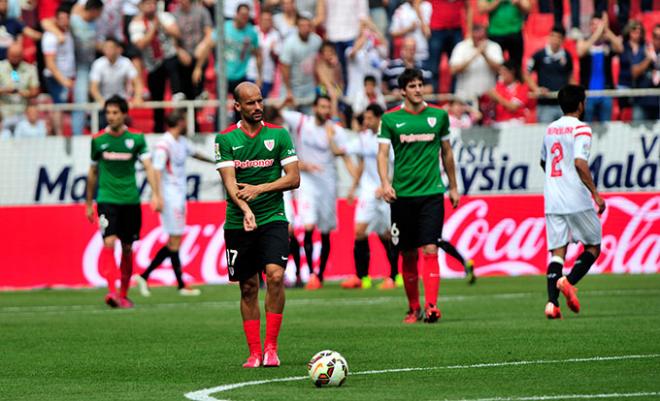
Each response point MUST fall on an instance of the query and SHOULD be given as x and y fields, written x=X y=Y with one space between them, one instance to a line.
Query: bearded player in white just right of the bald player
x=319 y=141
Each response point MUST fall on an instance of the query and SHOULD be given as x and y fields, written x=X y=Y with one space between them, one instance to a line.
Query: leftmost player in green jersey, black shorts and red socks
x=114 y=153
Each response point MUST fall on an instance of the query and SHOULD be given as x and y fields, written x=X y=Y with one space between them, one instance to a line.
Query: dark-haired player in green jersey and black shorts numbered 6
x=417 y=132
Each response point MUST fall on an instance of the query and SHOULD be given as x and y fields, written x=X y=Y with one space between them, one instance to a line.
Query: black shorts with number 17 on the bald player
x=248 y=253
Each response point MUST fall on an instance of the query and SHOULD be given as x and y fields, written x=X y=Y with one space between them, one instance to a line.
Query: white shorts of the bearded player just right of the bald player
x=317 y=204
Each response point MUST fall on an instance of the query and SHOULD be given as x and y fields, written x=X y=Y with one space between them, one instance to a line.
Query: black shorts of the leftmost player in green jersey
x=124 y=221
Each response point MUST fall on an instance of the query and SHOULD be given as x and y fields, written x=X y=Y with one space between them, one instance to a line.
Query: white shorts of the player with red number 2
x=581 y=227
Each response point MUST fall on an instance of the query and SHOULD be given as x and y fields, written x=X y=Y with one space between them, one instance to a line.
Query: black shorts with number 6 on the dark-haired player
x=417 y=221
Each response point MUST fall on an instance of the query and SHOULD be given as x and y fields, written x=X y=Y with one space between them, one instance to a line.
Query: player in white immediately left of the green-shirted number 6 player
x=372 y=213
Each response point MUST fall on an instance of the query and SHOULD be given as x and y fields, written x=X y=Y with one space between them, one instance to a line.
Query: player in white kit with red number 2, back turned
x=568 y=193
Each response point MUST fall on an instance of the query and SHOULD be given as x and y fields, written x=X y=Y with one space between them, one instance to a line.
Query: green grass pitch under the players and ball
x=67 y=345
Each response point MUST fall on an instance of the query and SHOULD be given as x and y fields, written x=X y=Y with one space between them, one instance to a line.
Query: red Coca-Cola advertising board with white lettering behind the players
x=55 y=246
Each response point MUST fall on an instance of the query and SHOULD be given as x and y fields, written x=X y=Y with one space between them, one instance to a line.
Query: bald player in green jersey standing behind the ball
x=250 y=157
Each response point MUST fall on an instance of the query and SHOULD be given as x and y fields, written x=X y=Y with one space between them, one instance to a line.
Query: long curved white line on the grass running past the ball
x=205 y=394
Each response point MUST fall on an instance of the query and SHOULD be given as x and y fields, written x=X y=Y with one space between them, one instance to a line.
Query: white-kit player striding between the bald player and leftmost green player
x=170 y=164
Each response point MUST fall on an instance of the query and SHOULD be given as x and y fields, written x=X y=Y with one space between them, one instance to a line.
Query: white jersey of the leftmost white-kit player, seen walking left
x=170 y=157
